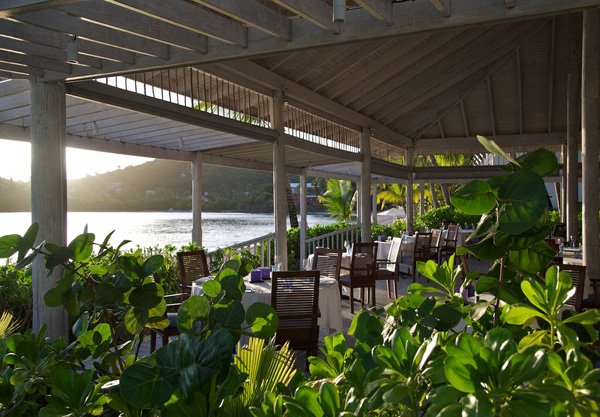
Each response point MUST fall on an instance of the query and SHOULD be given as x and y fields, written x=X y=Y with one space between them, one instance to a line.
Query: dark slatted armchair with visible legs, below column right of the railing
x=361 y=273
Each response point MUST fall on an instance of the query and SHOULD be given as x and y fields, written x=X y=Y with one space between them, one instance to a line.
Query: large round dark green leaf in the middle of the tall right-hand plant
x=523 y=200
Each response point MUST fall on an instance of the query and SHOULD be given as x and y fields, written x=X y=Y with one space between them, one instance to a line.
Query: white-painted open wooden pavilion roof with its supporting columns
x=278 y=85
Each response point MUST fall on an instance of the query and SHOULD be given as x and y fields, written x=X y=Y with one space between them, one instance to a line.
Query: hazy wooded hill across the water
x=155 y=185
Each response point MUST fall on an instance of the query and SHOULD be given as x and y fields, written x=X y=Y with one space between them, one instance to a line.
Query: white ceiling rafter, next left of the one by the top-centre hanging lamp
x=254 y=14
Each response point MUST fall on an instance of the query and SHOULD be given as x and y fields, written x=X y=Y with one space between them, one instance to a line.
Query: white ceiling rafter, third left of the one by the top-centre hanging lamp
x=125 y=20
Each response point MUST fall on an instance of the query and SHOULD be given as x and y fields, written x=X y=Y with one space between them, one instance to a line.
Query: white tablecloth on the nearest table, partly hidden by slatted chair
x=330 y=302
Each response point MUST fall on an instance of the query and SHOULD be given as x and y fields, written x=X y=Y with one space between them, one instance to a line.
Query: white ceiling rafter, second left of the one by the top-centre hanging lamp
x=189 y=16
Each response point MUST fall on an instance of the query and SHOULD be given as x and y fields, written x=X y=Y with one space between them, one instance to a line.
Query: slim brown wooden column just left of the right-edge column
x=573 y=125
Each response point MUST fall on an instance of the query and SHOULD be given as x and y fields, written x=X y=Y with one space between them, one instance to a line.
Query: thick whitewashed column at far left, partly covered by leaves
x=48 y=194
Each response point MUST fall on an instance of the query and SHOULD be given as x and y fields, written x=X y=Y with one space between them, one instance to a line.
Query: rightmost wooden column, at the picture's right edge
x=590 y=138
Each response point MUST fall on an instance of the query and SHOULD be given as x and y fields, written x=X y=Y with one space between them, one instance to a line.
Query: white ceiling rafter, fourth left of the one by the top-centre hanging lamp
x=60 y=22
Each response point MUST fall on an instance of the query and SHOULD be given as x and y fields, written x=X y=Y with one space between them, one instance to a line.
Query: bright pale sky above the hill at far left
x=15 y=161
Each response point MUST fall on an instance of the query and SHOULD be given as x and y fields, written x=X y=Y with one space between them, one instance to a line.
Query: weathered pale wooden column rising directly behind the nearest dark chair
x=279 y=180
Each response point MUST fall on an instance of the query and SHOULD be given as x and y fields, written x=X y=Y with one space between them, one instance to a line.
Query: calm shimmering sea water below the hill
x=161 y=228
